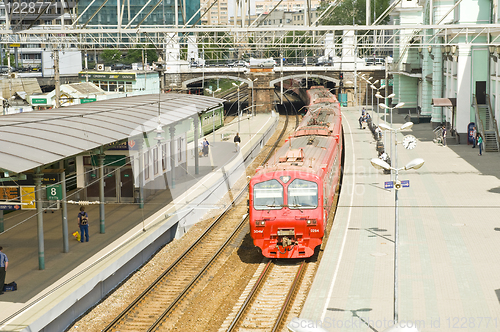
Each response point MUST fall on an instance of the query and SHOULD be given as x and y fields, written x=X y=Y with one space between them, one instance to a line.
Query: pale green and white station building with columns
x=455 y=80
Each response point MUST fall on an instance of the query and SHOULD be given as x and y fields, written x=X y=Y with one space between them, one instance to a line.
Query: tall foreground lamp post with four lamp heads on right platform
x=380 y=164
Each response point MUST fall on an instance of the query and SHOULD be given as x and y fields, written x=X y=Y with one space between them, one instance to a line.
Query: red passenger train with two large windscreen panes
x=291 y=196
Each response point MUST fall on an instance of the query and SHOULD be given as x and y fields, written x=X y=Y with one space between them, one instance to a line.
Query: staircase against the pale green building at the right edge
x=487 y=126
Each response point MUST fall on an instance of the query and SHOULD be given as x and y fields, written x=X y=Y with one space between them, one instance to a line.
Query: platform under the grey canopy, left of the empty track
x=72 y=282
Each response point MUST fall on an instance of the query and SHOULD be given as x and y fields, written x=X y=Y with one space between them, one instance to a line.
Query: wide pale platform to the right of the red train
x=448 y=257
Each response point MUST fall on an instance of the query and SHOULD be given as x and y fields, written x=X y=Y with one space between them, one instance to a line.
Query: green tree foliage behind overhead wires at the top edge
x=353 y=12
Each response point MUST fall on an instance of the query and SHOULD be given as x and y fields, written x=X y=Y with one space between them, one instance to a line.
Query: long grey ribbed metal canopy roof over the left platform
x=33 y=139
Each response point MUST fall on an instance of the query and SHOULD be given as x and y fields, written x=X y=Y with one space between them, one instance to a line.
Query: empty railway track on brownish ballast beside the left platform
x=163 y=302
